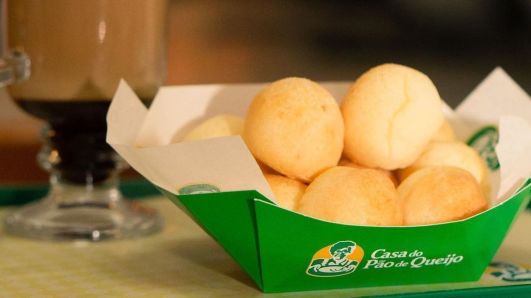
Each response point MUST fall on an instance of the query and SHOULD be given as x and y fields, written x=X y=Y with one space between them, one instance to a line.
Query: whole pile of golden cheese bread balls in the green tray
x=384 y=156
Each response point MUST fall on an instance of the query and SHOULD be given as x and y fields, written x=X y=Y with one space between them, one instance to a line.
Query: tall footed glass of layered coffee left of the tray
x=79 y=50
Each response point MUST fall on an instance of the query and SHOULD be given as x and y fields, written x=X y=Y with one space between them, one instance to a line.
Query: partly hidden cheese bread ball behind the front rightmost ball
x=454 y=154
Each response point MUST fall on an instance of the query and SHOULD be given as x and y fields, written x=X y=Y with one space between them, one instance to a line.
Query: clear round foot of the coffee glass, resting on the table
x=81 y=213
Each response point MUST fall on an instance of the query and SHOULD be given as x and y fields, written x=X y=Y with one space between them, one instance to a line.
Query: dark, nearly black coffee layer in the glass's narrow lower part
x=77 y=132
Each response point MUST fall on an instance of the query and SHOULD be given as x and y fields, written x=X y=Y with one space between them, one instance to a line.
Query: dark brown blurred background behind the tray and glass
x=456 y=43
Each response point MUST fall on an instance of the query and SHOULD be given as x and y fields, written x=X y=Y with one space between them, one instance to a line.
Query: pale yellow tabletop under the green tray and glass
x=180 y=261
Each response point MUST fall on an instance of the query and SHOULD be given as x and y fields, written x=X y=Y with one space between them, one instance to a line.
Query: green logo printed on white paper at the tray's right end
x=484 y=141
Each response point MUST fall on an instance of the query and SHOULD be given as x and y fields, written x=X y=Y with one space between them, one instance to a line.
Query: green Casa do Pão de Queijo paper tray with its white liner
x=218 y=183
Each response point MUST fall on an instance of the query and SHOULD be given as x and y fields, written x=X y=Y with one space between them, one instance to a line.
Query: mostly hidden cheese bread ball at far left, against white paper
x=217 y=126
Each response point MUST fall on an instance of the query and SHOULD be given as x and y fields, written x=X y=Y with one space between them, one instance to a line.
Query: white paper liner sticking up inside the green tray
x=143 y=137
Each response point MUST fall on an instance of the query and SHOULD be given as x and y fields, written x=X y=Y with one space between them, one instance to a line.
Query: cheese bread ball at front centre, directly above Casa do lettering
x=352 y=196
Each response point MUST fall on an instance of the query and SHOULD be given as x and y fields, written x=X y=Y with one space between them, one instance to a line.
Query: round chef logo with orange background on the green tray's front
x=337 y=259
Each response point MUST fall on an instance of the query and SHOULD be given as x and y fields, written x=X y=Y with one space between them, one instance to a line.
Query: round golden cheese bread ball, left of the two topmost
x=294 y=126
